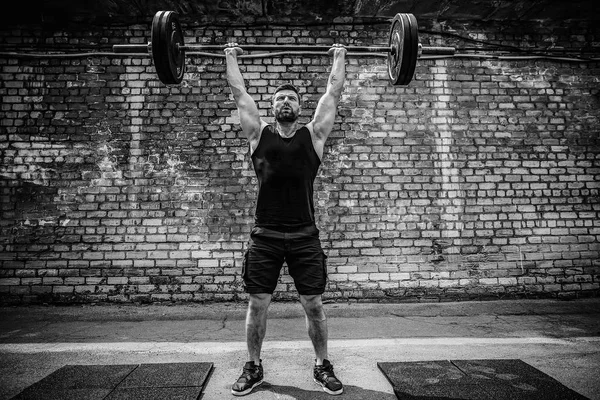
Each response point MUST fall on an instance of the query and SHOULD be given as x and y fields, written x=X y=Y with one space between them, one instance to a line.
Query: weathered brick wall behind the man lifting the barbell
x=478 y=180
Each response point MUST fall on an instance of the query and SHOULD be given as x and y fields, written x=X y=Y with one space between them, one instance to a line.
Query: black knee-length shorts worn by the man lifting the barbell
x=302 y=251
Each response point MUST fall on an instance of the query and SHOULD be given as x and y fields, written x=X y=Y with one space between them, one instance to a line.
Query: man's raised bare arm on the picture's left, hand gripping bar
x=250 y=120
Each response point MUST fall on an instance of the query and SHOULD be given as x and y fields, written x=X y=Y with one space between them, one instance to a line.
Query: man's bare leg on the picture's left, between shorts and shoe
x=256 y=324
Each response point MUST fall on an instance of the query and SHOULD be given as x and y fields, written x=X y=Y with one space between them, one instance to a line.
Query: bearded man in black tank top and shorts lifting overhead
x=286 y=157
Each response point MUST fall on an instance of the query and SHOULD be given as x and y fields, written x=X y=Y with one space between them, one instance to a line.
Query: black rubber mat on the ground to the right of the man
x=473 y=380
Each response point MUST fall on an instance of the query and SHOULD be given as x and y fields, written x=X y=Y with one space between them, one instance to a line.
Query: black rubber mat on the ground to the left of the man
x=183 y=381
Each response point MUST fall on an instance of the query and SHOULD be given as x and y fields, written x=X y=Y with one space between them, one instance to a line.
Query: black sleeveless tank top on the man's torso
x=286 y=170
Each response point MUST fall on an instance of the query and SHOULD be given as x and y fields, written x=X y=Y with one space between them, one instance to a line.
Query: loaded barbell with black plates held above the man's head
x=168 y=48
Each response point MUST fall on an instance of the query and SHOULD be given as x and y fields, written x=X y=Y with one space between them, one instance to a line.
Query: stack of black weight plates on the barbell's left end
x=169 y=59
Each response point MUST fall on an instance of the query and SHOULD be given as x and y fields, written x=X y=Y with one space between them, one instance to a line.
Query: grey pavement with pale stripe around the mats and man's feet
x=559 y=338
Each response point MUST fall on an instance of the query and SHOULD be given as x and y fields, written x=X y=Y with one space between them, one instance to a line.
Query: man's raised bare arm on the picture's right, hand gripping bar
x=322 y=123
